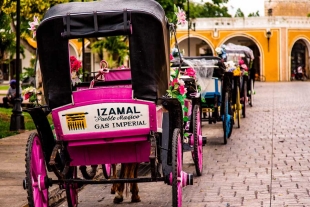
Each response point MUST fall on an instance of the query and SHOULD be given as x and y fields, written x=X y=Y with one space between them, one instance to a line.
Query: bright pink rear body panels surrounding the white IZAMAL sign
x=122 y=146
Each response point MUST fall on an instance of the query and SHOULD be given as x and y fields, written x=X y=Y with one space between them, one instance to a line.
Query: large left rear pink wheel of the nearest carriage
x=35 y=173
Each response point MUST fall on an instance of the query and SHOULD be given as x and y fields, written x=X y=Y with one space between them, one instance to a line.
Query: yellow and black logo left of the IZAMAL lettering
x=76 y=121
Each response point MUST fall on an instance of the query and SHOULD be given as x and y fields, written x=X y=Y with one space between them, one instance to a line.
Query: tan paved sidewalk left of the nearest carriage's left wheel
x=12 y=172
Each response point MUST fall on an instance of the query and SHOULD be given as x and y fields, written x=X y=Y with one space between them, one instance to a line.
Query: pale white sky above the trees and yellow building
x=246 y=6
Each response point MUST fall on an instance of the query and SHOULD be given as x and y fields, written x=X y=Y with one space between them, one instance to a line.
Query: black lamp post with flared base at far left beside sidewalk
x=17 y=119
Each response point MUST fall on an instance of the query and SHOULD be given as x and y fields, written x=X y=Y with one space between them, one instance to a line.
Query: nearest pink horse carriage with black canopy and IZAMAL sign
x=127 y=118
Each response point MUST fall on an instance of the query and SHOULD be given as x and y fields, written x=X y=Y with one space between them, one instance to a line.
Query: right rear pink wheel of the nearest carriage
x=176 y=169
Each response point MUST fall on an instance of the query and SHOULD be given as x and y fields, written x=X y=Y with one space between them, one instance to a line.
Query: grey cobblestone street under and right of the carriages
x=265 y=163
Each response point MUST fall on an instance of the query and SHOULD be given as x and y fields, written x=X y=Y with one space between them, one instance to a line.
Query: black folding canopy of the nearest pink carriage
x=143 y=21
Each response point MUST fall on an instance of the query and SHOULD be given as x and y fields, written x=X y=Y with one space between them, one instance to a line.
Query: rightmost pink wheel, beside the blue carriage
x=198 y=149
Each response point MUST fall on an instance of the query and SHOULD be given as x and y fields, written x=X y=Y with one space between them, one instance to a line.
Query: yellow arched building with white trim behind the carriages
x=279 y=43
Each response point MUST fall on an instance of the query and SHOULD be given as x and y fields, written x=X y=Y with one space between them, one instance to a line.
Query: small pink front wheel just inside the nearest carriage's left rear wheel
x=72 y=189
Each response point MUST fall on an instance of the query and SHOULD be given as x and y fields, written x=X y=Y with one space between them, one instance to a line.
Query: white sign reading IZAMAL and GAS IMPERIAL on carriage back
x=104 y=117
